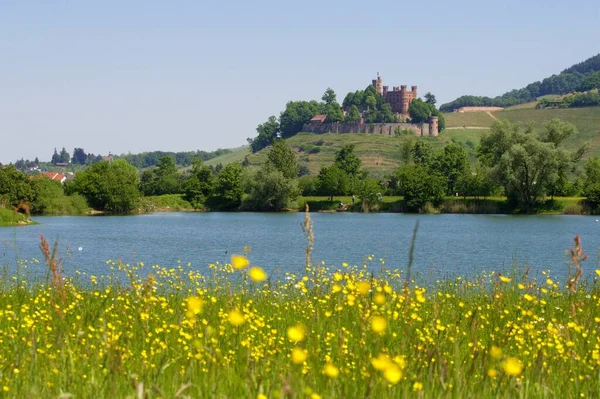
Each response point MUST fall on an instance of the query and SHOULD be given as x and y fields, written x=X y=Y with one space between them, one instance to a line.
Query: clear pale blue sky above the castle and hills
x=148 y=75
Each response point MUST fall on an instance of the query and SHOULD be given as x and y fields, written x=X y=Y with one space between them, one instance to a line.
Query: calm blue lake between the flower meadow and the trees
x=446 y=245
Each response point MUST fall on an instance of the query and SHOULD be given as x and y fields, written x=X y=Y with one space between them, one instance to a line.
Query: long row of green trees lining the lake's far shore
x=513 y=161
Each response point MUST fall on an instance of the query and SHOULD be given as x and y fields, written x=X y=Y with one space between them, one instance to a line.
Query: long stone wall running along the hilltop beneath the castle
x=385 y=129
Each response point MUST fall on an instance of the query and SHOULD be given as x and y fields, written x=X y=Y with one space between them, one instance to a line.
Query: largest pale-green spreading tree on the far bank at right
x=524 y=164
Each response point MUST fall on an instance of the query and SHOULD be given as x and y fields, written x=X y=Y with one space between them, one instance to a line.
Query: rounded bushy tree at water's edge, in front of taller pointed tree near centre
x=270 y=190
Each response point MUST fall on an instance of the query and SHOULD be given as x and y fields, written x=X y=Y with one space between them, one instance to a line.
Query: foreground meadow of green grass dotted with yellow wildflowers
x=348 y=332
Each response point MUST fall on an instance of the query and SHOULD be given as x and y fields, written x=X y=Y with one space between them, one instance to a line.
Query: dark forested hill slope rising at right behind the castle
x=570 y=79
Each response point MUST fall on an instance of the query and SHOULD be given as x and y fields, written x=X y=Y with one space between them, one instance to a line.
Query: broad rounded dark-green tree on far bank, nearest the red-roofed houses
x=111 y=187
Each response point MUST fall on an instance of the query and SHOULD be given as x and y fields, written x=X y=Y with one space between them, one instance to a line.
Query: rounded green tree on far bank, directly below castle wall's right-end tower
x=420 y=185
